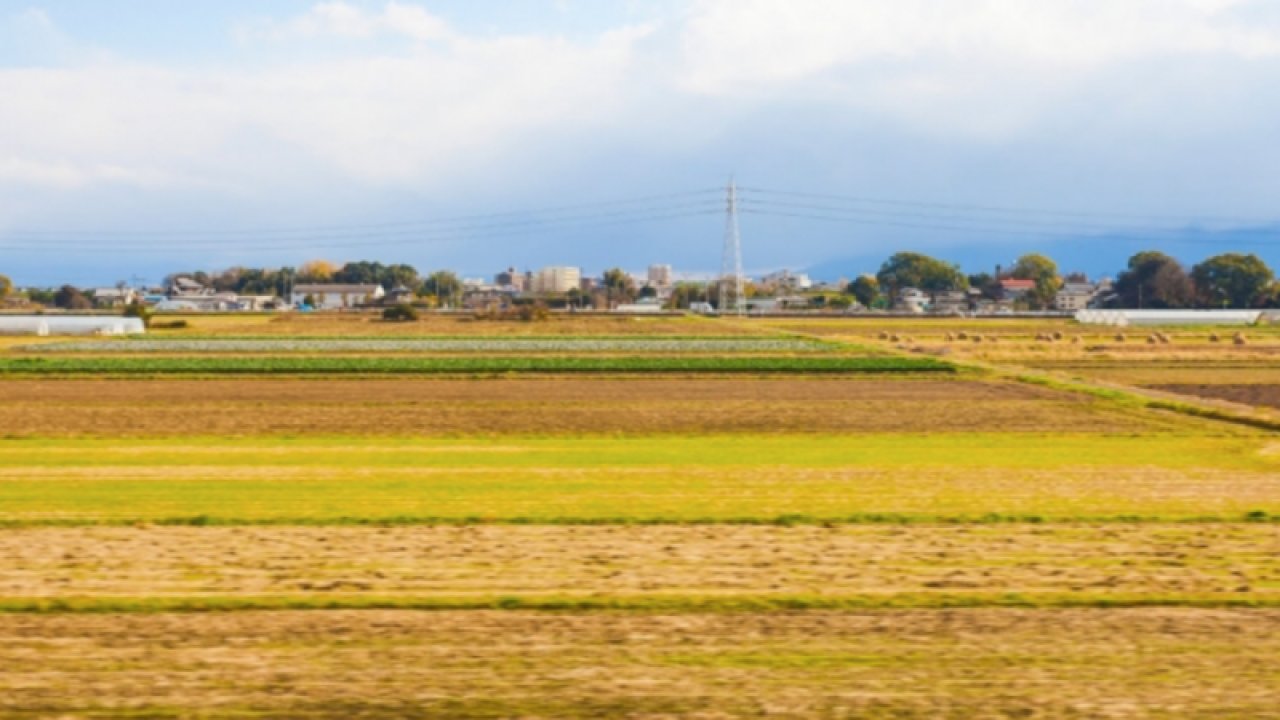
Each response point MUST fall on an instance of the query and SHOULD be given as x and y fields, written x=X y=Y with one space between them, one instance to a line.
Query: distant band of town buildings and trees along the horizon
x=907 y=282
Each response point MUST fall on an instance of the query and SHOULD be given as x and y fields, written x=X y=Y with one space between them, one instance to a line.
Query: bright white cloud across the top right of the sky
x=744 y=45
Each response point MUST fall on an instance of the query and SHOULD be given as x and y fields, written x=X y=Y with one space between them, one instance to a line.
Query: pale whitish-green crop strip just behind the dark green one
x=436 y=345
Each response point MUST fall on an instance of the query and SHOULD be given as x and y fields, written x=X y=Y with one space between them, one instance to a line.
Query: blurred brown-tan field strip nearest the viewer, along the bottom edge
x=958 y=664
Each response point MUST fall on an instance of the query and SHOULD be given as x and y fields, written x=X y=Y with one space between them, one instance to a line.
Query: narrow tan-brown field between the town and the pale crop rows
x=431 y=325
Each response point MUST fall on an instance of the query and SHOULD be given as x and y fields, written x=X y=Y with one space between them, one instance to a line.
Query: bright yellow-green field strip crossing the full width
x=747 y=479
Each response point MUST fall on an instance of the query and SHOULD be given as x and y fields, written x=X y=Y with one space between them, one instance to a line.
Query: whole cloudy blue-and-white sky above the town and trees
x=147 y=136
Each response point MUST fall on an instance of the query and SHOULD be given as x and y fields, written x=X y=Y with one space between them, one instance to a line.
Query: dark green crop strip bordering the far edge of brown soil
x=428 y=366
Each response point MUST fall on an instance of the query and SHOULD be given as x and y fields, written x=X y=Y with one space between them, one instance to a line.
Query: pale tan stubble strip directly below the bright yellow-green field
x=1156 y=560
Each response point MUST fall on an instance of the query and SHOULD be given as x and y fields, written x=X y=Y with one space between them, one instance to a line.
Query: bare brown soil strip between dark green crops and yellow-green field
x=634 y=405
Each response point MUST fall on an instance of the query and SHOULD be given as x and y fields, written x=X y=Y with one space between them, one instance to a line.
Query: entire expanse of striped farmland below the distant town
x=639 y=518
